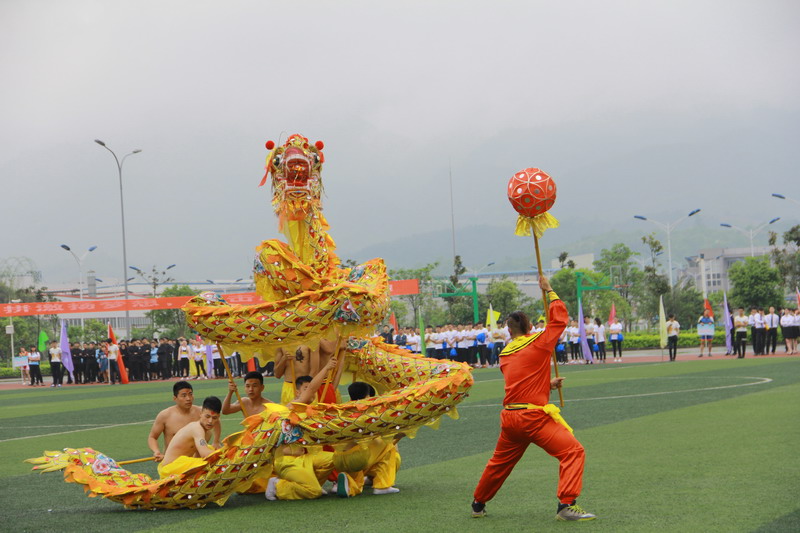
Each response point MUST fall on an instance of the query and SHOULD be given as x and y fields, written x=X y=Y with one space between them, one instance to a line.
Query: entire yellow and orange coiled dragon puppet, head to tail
x=307 y=296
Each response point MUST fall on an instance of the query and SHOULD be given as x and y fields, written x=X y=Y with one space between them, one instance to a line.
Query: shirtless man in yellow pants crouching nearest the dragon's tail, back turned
x=189 y=445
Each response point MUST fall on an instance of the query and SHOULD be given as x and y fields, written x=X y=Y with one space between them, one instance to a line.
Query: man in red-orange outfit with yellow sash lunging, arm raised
x=527 y=418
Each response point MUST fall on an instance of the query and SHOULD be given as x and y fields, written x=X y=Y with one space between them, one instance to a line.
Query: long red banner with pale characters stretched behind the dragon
x=397 y=288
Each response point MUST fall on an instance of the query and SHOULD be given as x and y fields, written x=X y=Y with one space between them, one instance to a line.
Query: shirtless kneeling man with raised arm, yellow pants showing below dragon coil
x=300 y=474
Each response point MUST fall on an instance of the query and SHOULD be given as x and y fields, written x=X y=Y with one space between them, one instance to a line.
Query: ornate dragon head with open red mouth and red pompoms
x=296 y=182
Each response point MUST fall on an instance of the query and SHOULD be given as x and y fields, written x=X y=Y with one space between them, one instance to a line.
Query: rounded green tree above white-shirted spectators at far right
x=755 y=283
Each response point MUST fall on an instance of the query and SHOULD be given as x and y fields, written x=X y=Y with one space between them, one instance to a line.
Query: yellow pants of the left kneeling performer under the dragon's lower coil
x=301 y=477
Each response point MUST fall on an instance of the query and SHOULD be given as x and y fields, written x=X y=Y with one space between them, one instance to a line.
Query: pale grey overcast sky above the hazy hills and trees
x=633 y=107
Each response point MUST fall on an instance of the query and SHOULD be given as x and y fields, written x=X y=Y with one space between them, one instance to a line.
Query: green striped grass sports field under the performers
x=686 y=446
